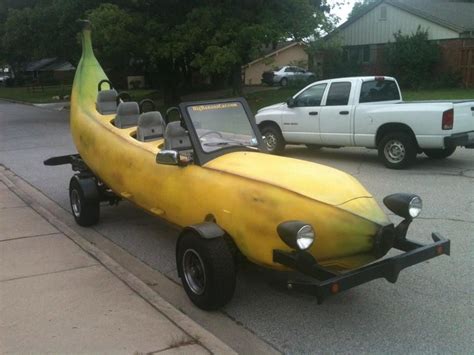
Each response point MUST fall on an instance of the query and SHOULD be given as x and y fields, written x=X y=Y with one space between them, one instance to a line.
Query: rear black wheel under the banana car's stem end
x=86 y=211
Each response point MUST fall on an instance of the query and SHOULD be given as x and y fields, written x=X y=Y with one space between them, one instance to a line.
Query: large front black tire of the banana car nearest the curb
x=207 y=269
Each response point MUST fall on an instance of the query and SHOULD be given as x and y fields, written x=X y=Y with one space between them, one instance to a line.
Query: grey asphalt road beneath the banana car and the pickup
x=429 y=309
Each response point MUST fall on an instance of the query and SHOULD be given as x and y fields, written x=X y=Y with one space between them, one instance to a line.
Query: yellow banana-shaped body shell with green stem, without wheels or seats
x=248 y=193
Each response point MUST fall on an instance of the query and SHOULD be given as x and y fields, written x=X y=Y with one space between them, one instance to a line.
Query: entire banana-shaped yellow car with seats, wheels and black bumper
x=208 y=173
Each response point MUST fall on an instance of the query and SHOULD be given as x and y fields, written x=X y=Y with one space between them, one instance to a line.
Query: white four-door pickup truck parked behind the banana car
x=368 y=112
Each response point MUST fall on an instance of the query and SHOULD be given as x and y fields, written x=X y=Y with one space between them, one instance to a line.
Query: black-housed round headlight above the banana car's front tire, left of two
x=296 y=234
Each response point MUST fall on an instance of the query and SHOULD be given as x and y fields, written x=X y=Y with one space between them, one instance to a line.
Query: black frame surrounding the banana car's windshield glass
x=200 y=156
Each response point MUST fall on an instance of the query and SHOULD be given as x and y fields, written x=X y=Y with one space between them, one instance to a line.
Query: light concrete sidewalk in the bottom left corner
x=57 y=298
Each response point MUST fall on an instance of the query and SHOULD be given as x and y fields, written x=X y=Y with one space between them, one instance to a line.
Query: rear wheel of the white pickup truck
x=397 y=150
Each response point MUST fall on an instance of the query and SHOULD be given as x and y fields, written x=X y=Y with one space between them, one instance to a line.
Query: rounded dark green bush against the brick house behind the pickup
x=412 y=58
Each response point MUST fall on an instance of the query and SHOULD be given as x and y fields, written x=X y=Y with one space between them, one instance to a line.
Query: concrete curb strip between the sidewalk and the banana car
x=32 y=197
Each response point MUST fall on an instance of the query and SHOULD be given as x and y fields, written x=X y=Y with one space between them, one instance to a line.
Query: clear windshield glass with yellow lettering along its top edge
x=222 y=125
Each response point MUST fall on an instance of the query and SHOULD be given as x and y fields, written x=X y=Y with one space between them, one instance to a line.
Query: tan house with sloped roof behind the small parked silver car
x=286 y=53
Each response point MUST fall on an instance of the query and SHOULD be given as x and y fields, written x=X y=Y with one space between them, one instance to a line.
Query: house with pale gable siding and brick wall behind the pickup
x=448 y=22
